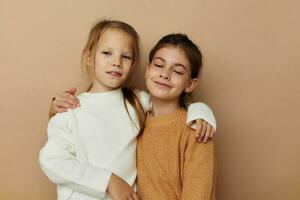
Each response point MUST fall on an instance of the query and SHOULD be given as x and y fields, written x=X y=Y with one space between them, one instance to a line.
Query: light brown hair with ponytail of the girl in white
x=129 y=94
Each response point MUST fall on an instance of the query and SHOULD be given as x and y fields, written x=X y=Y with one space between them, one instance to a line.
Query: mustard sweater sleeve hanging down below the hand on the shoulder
x=198 y=174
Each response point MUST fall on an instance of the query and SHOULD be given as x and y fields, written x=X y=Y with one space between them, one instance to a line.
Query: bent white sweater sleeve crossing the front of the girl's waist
x=58 y=161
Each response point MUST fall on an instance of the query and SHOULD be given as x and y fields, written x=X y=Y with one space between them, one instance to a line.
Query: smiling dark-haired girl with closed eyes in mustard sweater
x=171 y=165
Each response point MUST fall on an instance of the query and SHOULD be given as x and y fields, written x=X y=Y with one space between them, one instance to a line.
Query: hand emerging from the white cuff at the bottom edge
x=120 y=190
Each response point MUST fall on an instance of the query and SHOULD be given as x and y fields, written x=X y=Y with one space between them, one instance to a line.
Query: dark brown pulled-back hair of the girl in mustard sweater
x=191 y=50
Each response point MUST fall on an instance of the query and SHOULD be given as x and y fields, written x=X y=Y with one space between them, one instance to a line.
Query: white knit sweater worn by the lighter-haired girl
x=86 y=145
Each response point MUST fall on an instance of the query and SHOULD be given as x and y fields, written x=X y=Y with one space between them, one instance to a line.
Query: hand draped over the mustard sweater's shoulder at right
x=204 y=131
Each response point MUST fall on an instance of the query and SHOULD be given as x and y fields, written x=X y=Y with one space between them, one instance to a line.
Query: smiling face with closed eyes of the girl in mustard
x=168 y=74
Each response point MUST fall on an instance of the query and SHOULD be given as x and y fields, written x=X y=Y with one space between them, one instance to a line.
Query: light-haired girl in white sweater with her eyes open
x=91 y=151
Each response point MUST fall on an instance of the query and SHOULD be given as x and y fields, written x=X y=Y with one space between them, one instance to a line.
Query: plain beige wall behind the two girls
x=251 y=80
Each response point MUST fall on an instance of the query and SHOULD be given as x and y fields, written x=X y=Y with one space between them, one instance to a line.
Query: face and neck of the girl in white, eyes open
x=113 y=60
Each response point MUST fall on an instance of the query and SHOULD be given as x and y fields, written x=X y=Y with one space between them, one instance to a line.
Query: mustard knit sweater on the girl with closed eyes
x=171 y=164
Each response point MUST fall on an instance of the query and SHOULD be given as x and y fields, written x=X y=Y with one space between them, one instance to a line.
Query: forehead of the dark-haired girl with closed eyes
x=172 y=54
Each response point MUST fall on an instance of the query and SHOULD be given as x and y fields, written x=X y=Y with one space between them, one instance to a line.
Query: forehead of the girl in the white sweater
x=115 y=38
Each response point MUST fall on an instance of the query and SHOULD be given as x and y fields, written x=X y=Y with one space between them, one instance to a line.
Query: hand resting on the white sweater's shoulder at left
x=63 y=101
